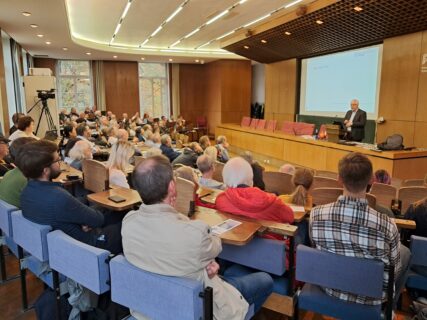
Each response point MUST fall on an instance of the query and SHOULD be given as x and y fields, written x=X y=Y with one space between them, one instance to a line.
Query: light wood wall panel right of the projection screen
x=403 y=90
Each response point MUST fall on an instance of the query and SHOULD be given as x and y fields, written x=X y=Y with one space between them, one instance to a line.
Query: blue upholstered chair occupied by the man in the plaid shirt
x=319 y=268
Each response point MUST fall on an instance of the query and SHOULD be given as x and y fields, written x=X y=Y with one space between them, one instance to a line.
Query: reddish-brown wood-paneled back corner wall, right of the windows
x=220 y=91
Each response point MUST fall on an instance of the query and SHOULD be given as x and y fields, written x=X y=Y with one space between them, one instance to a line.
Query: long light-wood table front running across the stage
x=317 y=154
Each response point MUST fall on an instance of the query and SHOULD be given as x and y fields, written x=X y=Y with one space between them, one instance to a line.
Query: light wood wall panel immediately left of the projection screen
x=280 y=90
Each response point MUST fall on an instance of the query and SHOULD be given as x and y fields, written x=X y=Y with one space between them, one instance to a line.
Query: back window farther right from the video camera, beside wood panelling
x=154 y=89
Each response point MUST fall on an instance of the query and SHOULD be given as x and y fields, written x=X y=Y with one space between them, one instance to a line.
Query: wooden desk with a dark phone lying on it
x=101 y=198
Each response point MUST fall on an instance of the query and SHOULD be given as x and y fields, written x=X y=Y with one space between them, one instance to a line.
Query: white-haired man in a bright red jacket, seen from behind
x=242 y=198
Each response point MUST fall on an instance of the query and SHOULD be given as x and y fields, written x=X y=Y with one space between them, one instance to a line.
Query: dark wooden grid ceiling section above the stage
x=342 y=28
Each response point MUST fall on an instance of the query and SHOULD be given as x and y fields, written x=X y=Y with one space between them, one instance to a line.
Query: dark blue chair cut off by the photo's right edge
x=418 y=259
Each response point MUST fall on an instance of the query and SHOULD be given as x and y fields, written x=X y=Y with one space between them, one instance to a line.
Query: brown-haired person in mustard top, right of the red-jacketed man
x=302 y=180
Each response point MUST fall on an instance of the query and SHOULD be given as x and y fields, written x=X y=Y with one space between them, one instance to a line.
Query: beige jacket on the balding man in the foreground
x=158 y=239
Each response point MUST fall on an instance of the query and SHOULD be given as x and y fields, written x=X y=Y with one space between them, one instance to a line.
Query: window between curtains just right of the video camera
x=74 y=85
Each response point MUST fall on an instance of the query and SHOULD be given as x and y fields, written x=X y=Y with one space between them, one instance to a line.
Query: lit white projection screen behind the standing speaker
x=330 y=82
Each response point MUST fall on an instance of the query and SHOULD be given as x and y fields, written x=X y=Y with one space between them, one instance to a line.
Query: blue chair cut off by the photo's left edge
x=6 y=235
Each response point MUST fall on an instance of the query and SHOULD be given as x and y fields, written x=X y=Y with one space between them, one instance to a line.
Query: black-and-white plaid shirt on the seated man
x=350 y=227
